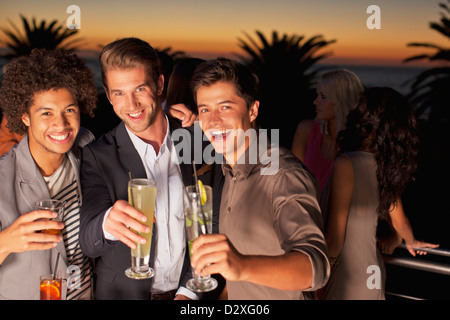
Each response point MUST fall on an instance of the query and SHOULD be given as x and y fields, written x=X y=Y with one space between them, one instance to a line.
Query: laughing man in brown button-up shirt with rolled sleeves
x=271 y=244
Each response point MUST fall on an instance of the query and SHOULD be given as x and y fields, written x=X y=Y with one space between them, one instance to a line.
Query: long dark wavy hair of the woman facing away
x=384 y=123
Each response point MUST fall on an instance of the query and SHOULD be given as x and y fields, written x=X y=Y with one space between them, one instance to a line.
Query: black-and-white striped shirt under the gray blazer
x=79 y=264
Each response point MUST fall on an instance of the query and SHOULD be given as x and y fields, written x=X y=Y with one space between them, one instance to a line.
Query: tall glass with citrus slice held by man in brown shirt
x=198 y=216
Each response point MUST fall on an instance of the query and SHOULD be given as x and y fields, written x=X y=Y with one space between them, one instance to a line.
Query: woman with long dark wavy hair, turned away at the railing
x=377 y=158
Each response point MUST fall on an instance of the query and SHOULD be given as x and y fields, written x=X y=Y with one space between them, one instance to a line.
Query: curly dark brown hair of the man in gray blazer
x=42 y=71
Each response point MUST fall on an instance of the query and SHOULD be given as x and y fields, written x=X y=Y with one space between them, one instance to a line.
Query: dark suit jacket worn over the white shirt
x=104 y=175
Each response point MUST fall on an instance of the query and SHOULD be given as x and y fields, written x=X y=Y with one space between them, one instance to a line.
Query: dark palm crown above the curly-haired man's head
x=42 y=35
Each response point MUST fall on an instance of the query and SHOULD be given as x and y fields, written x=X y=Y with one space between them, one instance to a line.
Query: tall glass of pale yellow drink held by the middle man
x=142 y=196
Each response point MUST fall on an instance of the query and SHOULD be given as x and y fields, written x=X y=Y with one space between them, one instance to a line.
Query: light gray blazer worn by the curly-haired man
x=21 y=185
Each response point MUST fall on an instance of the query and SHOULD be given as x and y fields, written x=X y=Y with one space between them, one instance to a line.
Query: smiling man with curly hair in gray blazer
x=42 y=96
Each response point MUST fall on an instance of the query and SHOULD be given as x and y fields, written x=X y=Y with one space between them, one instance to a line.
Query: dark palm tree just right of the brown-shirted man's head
x=284 y=66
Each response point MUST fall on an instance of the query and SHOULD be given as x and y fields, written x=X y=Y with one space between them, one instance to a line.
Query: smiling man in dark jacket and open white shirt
x=140 y=146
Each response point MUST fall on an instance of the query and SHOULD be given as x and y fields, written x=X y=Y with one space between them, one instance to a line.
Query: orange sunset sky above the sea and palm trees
x=200 y=27
